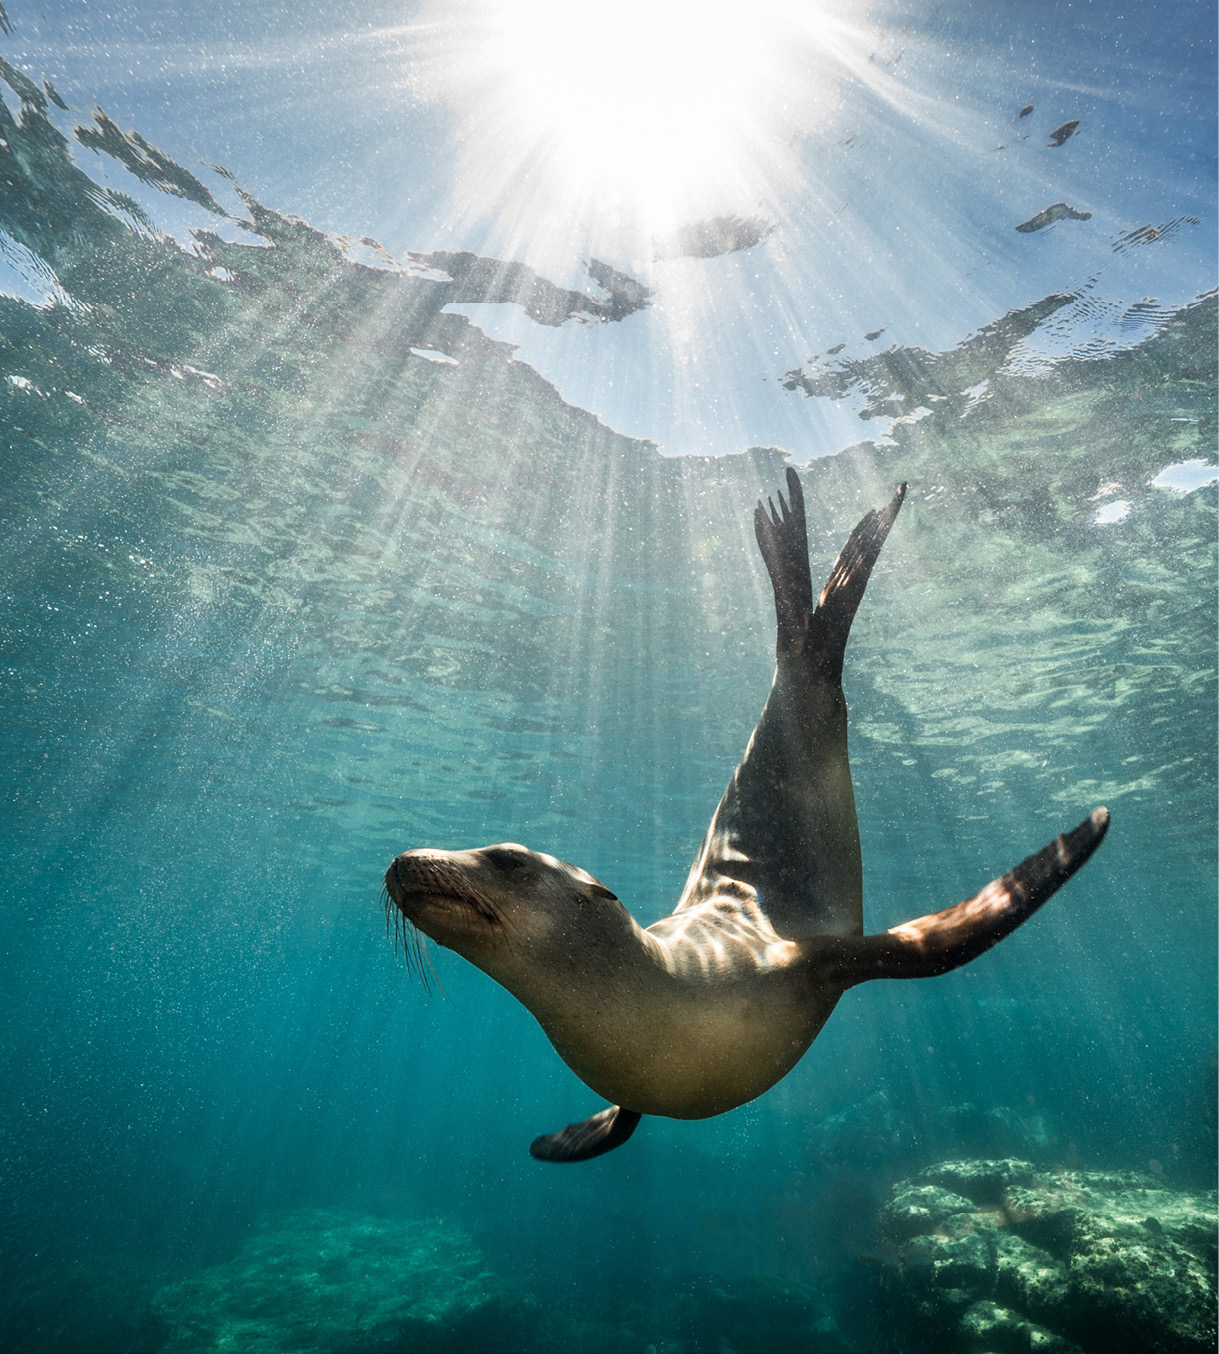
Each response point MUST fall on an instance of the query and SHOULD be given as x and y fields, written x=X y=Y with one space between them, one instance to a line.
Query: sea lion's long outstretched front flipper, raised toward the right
x=943 y=942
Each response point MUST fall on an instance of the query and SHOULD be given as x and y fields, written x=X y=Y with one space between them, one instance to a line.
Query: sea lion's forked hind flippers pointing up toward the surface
x=784 y=540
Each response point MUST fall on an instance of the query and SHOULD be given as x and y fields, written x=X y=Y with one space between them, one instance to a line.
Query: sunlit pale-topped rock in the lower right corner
x=996 y=1254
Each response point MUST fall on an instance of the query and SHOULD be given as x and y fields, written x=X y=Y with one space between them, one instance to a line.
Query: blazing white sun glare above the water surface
x=640 y=114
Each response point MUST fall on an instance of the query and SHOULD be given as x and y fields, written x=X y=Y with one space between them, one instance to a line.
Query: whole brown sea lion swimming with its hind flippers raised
x=713 y=1005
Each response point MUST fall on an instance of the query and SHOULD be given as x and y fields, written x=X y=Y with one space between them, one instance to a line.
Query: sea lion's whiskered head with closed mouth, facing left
x=510 y=911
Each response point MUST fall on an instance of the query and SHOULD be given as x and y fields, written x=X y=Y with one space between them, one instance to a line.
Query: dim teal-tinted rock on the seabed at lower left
x=320 y=1283
